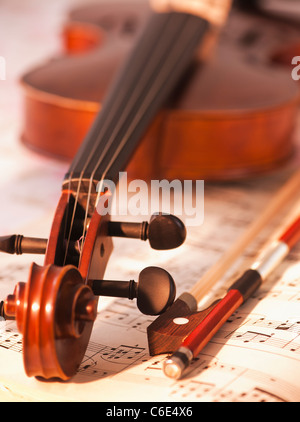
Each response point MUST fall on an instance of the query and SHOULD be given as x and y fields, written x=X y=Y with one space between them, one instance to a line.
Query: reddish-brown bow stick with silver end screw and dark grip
x=236 y=295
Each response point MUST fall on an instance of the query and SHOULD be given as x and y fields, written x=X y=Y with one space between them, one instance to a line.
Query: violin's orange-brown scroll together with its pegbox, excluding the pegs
x=56 y=308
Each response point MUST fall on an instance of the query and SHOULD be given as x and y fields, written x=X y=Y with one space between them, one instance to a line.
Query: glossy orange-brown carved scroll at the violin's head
x=54 y=312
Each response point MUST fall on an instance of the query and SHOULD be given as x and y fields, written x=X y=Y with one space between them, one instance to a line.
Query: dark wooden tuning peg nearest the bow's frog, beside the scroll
x=154 y=291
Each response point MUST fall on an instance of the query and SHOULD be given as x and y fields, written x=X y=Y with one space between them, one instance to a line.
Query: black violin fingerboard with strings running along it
x=163 y=52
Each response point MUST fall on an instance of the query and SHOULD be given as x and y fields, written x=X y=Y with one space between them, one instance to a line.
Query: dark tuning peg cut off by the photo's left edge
x=18 y=244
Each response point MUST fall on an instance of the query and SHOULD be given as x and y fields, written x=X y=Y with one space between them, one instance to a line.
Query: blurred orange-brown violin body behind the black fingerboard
x=227 y=119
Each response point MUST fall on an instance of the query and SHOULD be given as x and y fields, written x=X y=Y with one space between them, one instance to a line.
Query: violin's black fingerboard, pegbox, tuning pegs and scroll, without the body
x=56 y=308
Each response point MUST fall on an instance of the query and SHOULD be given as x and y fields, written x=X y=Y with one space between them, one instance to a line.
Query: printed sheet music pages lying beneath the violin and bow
x=254 y=357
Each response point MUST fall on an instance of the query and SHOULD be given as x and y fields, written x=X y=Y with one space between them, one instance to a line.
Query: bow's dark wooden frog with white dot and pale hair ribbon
x=167 y=332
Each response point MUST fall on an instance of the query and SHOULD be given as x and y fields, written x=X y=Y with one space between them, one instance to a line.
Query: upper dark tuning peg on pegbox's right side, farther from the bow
x=164 y=231
